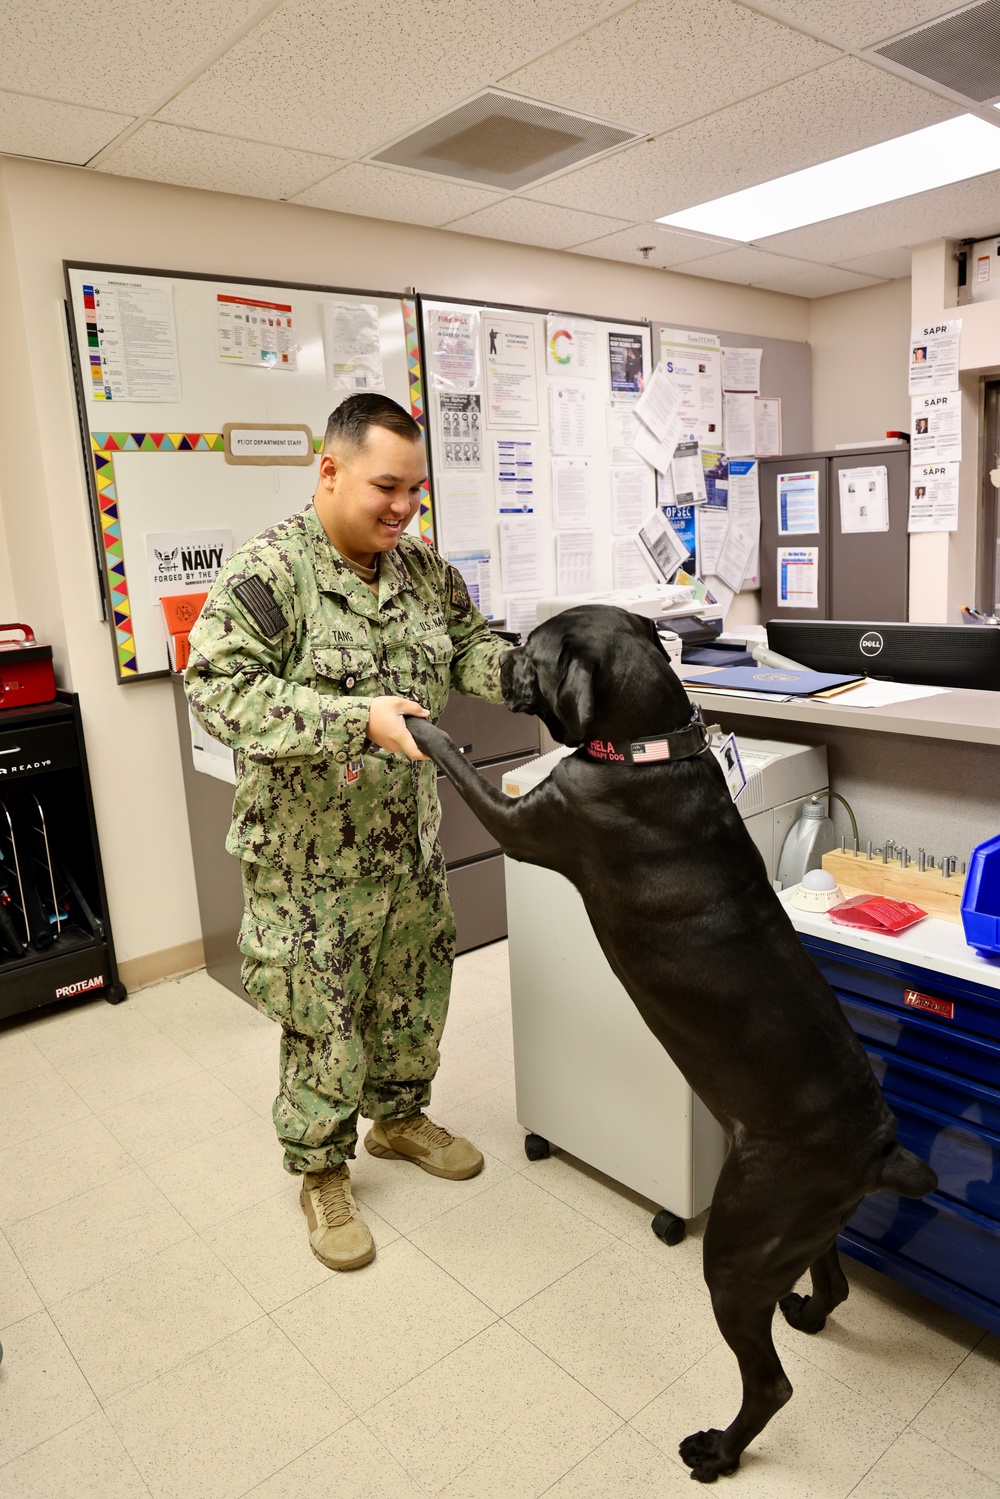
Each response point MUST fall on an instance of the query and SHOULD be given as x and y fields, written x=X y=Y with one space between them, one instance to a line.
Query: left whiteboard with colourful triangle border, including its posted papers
x=164 y=364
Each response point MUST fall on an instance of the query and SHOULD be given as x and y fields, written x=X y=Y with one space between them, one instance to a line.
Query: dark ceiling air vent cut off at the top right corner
x=962 y=52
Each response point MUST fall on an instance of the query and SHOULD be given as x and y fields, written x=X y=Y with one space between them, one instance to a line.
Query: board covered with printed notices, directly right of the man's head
x=537 y=488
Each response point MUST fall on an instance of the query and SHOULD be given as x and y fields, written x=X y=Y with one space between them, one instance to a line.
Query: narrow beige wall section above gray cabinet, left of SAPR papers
x=860 y=368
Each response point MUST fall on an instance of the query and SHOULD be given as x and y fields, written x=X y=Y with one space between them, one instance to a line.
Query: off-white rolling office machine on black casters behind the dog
x=590 y=1077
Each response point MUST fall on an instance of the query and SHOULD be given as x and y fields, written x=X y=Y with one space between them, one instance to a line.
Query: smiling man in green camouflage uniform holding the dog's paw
x=319 y=639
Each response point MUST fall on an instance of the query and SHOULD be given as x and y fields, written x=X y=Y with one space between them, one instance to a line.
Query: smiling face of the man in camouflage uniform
x=367 y=497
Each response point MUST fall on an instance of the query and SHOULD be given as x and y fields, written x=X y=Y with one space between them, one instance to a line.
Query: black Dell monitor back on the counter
x=933 y=656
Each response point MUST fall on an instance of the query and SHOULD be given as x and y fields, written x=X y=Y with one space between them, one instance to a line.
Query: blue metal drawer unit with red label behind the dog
x=935 y=1046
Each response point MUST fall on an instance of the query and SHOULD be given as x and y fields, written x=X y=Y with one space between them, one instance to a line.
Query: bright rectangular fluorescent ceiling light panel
x=932 y=158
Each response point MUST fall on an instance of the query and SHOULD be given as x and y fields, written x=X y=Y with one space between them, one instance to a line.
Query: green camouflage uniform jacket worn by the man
x=286 y=660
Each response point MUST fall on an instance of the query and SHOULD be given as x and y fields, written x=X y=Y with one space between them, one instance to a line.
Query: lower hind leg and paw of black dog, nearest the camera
x=746 y=1326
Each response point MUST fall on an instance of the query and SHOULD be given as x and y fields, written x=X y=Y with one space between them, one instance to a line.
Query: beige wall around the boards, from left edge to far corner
x=49 y=214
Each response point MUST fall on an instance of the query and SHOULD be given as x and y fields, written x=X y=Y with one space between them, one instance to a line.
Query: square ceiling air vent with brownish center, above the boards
x=499 y=140
